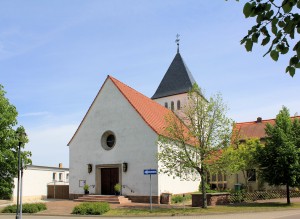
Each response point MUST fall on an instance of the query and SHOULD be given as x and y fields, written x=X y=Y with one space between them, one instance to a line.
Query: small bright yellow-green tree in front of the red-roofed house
x=242 y=157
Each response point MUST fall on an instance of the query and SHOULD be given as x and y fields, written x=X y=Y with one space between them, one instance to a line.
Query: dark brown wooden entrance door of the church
x=109 y=178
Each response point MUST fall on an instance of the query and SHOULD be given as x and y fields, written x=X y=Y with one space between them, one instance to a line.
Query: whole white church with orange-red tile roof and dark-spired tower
x=117 y=139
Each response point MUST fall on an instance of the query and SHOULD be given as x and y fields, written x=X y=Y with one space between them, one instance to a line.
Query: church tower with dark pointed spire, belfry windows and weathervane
x=172 y=91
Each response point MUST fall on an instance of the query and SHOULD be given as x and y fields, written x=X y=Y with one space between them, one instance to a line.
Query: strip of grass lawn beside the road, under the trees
x=249 y=207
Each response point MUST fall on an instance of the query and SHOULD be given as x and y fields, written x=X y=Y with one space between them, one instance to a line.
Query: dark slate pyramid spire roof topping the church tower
x=177 y=80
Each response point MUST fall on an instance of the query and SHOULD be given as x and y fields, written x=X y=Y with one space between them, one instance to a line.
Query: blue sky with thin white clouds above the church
x=55 y=55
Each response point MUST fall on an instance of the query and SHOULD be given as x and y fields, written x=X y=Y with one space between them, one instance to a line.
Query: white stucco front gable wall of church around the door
x=135 y=144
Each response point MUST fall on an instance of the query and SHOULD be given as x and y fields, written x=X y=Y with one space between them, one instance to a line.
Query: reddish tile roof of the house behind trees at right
x=254 y=129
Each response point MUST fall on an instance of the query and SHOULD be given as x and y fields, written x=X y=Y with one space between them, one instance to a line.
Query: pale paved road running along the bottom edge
x=288 y=214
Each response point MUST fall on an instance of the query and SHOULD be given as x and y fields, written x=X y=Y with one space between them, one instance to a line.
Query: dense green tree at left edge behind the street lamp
x=9 y=140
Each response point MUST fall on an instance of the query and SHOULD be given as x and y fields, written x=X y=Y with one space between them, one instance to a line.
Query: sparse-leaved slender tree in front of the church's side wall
x=188 y=143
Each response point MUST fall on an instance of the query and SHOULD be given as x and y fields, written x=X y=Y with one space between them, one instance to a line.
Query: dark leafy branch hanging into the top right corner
x=278 y=25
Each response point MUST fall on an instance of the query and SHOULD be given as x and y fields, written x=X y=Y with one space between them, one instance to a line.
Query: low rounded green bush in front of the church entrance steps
x=97 y=208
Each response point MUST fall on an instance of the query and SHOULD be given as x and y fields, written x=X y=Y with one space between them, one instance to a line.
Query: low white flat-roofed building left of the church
x=36 y=180
